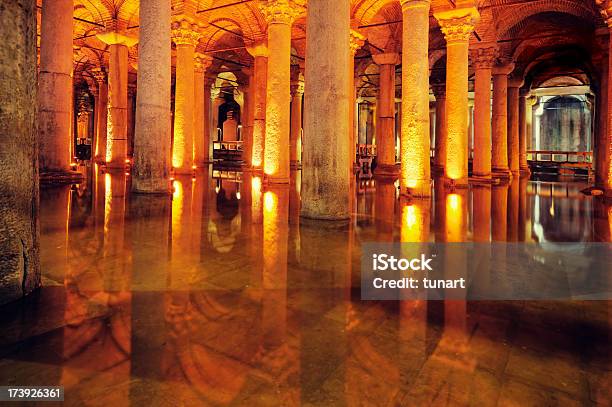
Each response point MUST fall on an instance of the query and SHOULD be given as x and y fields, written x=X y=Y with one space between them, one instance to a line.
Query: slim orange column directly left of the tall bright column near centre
x=259 y=52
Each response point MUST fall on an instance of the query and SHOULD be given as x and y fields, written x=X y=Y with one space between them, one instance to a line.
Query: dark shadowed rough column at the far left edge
x=19 y=226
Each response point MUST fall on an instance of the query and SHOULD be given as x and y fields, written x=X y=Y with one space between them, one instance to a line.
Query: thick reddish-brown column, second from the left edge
x=55 y=85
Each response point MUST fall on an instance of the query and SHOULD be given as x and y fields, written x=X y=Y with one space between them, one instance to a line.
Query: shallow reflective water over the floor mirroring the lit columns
x=219 y=295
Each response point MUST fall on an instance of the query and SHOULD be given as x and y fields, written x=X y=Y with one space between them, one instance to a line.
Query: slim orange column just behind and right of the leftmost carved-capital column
x=200 y=140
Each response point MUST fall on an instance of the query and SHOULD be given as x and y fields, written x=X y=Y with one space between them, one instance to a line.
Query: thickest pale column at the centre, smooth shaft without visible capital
x=325 y=170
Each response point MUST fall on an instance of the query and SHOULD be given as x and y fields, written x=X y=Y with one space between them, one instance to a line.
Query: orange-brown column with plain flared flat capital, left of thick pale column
x=116 y=137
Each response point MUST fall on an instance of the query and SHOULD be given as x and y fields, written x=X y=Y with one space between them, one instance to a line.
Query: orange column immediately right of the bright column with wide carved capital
x=483 y=59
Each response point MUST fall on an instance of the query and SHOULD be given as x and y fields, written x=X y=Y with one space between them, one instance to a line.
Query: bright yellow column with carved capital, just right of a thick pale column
x=186 y=36
